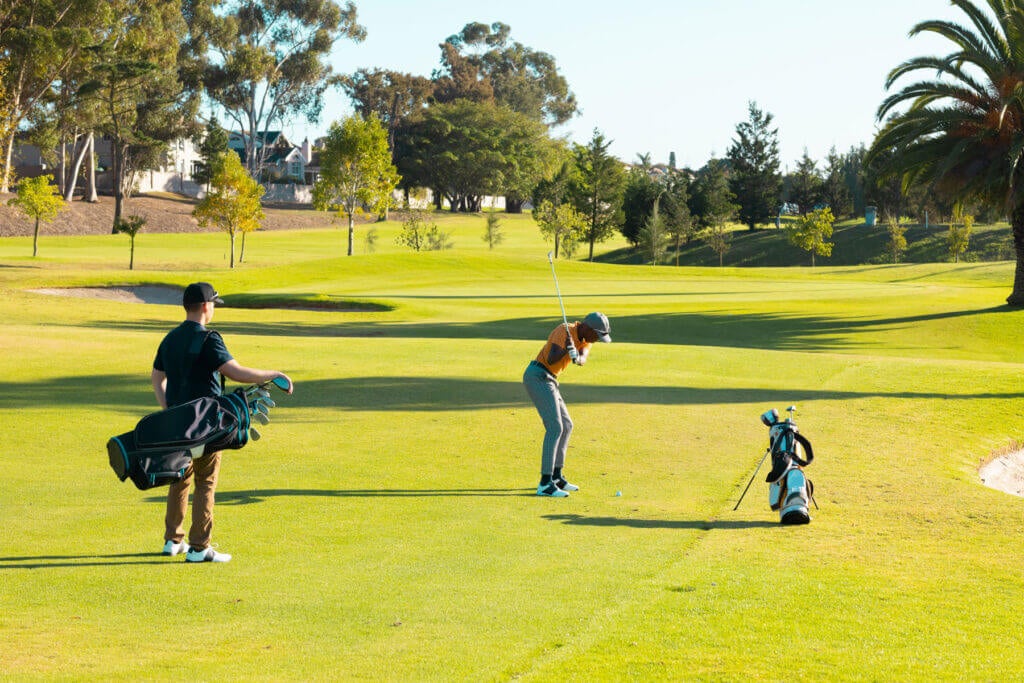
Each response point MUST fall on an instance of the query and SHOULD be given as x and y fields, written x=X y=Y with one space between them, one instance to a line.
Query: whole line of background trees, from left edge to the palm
x=137 y=73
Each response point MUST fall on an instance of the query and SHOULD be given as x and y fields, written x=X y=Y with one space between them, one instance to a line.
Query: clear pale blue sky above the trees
x=661 y=76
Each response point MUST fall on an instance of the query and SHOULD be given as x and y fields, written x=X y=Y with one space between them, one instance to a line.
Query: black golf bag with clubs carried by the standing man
x=160 y=449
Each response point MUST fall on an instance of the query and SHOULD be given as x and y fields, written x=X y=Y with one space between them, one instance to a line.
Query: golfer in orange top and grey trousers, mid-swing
x=567 y=344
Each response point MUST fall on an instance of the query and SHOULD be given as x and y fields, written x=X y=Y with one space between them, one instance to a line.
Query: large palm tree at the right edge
x=963 y=132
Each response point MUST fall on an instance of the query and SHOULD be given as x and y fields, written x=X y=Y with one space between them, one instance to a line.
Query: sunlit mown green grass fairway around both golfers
x=386 y=528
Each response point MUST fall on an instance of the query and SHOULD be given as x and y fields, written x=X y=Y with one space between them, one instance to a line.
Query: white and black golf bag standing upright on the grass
x=790 y=491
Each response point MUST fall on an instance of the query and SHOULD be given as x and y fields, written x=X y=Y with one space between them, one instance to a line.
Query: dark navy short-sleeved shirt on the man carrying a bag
x=191 y=355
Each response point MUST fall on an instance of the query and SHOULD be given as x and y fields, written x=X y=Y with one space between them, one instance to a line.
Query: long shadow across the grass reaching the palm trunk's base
x=721 y=328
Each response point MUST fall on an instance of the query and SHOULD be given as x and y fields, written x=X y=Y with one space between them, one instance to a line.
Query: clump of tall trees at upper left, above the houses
x=138 y=71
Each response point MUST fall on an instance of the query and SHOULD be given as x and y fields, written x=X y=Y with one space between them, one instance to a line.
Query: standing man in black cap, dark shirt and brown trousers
x=191 y=364
